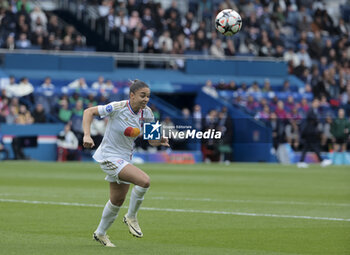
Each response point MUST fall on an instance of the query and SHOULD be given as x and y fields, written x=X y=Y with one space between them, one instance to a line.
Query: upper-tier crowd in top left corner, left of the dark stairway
x=26 y=26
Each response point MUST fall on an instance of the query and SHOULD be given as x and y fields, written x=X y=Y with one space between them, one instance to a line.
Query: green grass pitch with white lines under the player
x=53 y=208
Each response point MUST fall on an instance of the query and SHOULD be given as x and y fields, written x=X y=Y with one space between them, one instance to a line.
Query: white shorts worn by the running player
x=112 y=168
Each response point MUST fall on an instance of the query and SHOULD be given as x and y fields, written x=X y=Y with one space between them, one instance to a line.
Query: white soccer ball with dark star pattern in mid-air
x=228 y=22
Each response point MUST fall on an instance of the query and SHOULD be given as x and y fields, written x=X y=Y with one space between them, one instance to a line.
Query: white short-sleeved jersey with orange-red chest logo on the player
x=124 y=126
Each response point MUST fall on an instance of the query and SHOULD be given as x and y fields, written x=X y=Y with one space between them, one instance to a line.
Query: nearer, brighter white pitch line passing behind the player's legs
x=179 y=210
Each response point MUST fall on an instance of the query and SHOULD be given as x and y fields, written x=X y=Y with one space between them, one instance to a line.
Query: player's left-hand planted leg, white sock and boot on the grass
x=110 y=212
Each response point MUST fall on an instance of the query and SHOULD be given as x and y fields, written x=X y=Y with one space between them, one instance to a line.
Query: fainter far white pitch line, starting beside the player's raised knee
x=249 y=201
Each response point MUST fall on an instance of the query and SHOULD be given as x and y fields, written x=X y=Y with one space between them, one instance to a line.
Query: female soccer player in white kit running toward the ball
x=115 y=154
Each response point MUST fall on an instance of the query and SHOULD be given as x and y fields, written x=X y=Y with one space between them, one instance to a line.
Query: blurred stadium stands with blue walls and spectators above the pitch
x=257 y=87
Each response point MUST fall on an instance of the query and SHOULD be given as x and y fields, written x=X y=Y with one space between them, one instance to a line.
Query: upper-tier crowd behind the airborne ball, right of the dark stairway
x=313 y=37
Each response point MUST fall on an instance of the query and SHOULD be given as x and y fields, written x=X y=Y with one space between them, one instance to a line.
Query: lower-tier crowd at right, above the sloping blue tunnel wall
x=286 y=111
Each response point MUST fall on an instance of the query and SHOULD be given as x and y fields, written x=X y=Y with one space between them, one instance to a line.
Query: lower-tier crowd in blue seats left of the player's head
x=24 y=103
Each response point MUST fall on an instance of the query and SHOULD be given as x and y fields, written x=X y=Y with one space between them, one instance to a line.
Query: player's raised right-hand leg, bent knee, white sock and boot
x=141 y=180
